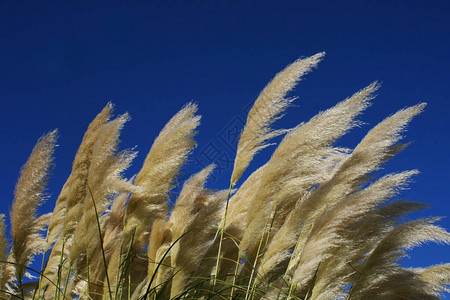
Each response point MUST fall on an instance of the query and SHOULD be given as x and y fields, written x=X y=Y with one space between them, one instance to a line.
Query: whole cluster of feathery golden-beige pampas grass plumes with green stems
x=311 y=223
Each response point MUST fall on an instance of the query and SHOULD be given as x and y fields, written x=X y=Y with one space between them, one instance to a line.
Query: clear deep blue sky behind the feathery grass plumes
x=60 y=63
